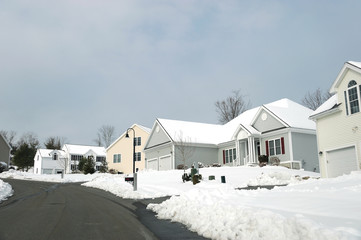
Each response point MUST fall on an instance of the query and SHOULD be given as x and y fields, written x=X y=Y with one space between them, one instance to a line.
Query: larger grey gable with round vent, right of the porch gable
x=265 y=122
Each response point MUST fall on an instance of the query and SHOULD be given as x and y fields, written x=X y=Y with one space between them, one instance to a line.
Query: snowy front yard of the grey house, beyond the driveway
x=153 y=184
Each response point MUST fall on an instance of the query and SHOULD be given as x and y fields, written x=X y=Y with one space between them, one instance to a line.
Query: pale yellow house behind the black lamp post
x=120 y=152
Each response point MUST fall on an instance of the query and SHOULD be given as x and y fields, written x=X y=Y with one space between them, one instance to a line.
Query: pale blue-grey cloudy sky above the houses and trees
x=68 y=67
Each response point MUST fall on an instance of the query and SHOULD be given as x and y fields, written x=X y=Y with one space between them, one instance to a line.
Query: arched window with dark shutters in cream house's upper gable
x=352 y=99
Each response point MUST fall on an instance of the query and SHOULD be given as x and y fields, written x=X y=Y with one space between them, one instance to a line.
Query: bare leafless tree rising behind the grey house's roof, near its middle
x=231 y=107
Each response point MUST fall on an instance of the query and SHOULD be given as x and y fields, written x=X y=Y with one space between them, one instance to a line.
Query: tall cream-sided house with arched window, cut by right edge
x=338 y=123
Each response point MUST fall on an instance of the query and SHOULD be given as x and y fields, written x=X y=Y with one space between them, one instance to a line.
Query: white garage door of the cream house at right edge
x=341 y=161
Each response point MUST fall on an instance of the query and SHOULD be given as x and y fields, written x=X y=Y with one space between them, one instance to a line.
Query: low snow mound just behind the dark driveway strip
x=274 y=178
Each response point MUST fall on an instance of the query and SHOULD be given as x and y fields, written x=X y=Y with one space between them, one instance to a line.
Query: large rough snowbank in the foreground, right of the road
x=312 y=209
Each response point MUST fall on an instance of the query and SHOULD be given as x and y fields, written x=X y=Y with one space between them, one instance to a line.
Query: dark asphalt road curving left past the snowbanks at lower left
x=41 y=210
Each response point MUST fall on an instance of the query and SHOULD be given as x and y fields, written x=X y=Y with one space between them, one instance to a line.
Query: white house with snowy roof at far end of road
x=50 y=161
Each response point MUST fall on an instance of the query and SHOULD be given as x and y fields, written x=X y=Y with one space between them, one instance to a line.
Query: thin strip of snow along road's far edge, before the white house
x=14 y=174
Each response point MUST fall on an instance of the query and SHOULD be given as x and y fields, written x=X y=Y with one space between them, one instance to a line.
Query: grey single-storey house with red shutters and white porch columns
x=279 y=129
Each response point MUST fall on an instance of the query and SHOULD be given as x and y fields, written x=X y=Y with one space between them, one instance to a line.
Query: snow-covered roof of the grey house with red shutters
x=291 y=113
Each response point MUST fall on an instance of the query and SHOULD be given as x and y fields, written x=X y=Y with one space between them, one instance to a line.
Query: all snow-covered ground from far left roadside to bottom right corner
x=305 y=209
